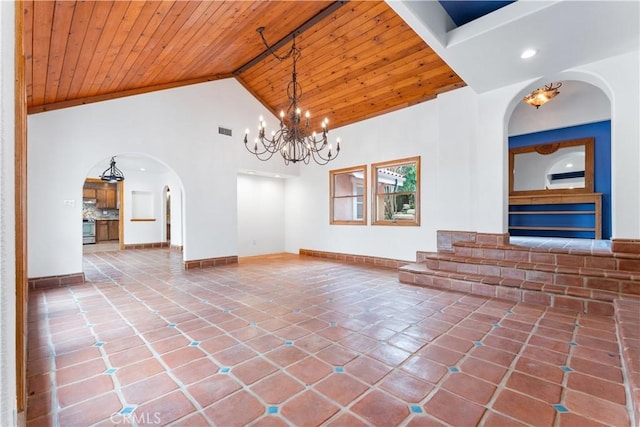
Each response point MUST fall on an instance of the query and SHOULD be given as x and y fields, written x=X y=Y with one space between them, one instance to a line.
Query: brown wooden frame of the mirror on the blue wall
x=551 y=147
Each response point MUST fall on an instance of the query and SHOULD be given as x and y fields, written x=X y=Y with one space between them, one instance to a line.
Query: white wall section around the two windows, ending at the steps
x=410 y=132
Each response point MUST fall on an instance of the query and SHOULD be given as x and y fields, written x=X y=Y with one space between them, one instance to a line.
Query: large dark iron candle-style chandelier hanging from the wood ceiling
x=292 y=140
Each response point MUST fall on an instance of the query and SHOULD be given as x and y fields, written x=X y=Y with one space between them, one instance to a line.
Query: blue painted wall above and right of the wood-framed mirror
x=601 y=132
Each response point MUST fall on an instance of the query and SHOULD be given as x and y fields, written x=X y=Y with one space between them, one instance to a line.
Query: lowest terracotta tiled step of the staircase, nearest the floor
x=565 y=297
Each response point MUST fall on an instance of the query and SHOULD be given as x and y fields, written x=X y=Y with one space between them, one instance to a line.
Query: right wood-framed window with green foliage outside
x=396 y=189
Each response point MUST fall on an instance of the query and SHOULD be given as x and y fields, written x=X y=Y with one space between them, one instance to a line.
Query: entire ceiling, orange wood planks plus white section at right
x=359 y=58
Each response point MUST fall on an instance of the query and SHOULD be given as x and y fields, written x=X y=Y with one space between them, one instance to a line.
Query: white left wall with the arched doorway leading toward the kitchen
x=178 y=127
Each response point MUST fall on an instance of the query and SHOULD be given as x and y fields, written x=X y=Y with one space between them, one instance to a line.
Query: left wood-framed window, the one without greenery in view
x=348 y=195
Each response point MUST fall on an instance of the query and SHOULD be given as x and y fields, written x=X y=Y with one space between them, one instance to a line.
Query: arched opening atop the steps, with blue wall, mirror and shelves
x=563 y=119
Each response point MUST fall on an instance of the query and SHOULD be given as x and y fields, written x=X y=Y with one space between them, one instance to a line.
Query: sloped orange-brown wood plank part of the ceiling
x=359 y=59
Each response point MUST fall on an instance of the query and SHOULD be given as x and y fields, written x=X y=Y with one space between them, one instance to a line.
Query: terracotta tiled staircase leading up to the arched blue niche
x=585 y=281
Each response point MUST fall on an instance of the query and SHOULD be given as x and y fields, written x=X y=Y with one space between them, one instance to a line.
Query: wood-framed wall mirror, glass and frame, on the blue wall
x=556 y=167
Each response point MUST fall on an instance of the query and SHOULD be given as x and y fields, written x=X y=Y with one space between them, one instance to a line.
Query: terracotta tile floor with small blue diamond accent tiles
x=298 y=341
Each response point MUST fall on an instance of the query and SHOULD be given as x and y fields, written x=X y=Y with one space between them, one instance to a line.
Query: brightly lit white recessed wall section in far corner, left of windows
x=261 y=212
